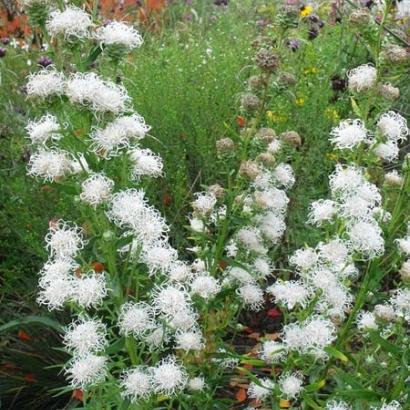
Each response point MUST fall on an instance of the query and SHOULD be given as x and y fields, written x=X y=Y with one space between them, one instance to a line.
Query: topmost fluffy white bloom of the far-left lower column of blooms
x=64 y=240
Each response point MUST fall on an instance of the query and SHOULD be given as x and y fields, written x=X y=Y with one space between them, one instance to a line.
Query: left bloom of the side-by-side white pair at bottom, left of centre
x=136 y=383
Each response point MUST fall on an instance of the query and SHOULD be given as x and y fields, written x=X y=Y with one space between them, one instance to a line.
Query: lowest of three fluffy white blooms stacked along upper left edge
x=50 y=165
